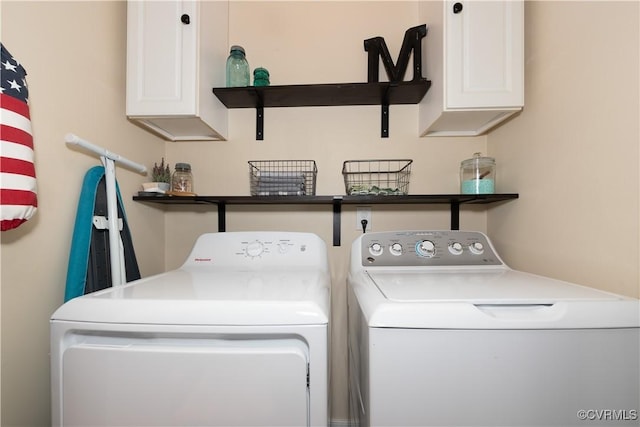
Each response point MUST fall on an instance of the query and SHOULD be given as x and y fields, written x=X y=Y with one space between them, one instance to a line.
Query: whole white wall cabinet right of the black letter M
x=474 y=56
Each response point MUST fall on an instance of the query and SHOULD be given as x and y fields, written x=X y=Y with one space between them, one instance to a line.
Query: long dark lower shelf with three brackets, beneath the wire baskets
x=454 y=200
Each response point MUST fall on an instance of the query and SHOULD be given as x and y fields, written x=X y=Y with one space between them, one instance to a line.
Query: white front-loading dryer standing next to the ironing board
x=238 y=336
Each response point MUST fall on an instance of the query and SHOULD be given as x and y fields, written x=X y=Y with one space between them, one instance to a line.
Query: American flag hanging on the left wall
x=18 y=199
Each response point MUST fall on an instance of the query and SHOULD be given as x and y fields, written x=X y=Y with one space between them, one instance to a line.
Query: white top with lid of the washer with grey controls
x=486 y=299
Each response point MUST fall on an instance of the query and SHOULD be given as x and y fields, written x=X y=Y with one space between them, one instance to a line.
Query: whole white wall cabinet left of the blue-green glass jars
x=176 y=54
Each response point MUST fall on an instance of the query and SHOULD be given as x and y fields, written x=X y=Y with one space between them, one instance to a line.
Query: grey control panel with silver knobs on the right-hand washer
x=422 y=248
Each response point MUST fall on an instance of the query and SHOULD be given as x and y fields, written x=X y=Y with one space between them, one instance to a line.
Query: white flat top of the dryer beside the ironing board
x=202 y=297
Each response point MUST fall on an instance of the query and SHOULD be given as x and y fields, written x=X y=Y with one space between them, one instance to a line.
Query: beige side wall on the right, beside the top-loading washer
x=573 y=153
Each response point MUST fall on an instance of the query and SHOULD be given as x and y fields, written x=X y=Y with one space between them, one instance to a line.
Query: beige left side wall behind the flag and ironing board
x=74 y=55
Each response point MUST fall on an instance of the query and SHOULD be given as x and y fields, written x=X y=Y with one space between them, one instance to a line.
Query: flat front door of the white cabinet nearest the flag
x=161 y=57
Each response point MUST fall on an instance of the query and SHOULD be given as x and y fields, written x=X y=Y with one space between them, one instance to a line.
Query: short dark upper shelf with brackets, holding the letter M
x=323 y=95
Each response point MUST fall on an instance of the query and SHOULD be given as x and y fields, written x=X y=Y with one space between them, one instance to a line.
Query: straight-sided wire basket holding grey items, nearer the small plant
x=282 y=177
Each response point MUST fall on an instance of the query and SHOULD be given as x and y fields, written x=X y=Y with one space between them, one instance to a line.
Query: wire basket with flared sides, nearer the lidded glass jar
x=377 y=177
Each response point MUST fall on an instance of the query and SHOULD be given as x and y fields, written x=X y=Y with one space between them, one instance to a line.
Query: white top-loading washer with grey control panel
x=443 y=333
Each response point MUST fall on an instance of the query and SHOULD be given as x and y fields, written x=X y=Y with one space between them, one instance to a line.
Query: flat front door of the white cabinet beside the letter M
x=484 y=51
